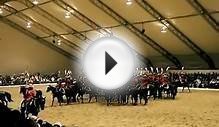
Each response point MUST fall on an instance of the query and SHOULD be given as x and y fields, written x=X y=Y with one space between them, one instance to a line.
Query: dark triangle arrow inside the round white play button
x=109 y=63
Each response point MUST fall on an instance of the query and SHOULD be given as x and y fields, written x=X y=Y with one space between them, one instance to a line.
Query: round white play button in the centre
x=108 y=63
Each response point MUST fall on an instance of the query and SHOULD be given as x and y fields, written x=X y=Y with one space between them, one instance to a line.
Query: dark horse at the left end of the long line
x=55 y=94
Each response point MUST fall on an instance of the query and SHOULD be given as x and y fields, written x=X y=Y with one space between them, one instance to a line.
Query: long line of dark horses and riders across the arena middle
x=74 y=92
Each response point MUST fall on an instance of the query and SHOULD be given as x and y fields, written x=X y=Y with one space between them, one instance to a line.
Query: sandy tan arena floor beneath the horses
x=195 y=109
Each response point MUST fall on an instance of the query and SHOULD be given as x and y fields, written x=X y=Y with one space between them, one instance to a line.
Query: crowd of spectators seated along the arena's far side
x=195 y=80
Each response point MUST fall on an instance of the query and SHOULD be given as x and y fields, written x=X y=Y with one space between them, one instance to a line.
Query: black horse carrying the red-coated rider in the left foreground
x=34 y=105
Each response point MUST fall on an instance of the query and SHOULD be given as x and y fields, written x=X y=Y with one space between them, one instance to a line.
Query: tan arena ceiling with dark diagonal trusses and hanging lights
x=176 y=32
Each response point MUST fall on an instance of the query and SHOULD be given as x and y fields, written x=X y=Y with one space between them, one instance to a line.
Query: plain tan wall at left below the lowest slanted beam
x=19 y=52
